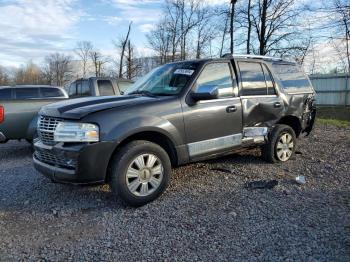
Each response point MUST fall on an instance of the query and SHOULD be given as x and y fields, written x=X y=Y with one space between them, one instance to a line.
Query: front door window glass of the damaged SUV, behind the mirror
x=219 y=75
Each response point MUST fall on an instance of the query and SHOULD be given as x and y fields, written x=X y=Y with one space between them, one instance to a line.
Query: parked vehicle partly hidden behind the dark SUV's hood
x=98 y=86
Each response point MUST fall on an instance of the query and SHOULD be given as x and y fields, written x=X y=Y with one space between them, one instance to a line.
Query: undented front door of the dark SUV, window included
x=214 y=126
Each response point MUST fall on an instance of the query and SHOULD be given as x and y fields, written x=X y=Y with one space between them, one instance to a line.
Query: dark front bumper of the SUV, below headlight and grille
x=78 y=163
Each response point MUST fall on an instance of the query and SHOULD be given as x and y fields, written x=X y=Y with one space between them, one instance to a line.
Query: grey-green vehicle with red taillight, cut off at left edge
x=19 y=106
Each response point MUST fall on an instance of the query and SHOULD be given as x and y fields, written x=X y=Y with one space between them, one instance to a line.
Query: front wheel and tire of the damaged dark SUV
x=139 y=172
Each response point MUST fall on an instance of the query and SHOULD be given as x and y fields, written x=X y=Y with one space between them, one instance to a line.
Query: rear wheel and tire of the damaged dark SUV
x=279 y=148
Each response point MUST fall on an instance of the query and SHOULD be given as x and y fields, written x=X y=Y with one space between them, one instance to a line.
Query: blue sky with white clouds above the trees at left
x=31 y=29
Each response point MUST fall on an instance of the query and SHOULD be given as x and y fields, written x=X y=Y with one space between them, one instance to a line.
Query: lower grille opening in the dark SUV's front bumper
x=47 y=157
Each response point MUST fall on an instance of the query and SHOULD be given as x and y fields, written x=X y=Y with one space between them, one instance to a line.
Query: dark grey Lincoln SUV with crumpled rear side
x=178 y=113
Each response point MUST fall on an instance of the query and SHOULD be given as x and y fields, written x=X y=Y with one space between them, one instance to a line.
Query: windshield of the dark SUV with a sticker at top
x=169 y=79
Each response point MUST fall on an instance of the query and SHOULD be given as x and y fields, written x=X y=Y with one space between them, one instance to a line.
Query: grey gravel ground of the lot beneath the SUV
x=205 y=215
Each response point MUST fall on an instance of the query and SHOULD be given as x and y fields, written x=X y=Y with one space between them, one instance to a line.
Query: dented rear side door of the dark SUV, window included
x=260 y=101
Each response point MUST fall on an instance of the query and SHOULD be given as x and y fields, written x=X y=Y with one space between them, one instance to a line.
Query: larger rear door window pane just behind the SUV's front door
x=253 y=79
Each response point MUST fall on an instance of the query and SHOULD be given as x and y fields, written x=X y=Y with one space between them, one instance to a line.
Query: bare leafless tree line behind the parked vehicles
x=191 y=29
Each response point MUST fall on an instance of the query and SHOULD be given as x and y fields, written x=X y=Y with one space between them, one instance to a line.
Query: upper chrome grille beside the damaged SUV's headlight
x=46 y=129
